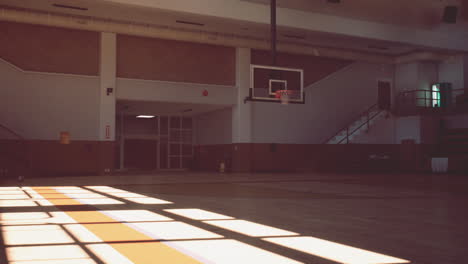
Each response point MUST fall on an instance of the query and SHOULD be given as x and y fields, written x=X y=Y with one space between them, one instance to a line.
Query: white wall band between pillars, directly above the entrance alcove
x=158 y=91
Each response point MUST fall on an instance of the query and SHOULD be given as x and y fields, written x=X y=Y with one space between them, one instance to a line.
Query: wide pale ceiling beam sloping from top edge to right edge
x=440 y=36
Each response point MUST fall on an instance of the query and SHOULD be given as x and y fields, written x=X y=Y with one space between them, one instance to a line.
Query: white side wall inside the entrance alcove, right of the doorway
x=213 y=128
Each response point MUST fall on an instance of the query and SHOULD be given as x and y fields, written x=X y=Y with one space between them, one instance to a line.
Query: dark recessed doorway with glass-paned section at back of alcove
x=154 y=142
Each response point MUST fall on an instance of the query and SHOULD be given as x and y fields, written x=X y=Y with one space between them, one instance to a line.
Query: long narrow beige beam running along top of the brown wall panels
x=164 y=32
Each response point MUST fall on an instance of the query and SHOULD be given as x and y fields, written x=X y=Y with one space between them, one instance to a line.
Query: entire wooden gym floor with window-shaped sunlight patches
x=236 y=218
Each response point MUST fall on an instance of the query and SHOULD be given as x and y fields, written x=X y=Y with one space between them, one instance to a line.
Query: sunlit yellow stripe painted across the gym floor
x=138 y=253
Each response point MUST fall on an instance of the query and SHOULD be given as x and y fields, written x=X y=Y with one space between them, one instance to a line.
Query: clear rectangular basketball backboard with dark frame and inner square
x=266 y=81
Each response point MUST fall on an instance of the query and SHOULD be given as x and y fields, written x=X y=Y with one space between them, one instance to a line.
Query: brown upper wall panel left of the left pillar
x=50 y=49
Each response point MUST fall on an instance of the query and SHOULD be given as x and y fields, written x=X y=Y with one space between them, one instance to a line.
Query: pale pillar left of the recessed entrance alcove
x=108 y=66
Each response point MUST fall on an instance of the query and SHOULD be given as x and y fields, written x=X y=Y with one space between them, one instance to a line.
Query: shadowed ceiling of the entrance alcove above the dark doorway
x=164 y=108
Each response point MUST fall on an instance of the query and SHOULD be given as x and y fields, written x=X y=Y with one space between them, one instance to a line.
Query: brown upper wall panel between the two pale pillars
x=175 y=61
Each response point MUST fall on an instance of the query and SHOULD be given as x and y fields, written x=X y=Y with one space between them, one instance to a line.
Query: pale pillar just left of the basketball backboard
x=242 y=114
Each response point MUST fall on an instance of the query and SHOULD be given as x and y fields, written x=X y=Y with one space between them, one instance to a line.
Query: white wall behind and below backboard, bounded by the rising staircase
x=330 y=104
